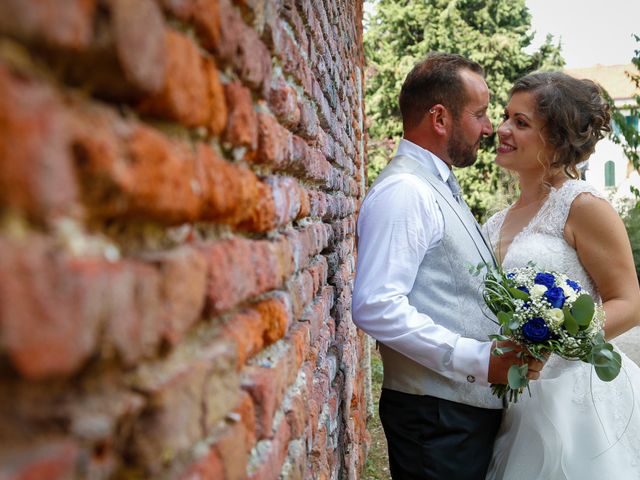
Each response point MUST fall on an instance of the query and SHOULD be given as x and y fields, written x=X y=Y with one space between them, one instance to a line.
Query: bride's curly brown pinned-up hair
x=574 y=112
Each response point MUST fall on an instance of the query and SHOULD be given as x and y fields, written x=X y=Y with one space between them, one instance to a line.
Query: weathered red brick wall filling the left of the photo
x=178 y=190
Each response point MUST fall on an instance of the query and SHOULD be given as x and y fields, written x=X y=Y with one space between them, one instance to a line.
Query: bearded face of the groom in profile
x=472 y=123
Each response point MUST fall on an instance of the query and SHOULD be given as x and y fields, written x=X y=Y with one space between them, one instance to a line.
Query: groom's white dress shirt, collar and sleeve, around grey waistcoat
x=399 y=223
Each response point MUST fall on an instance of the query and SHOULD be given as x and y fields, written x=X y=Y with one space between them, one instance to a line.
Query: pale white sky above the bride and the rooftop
x=591 y=31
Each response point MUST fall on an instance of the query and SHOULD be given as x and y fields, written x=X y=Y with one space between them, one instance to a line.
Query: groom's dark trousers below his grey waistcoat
x=434 y=439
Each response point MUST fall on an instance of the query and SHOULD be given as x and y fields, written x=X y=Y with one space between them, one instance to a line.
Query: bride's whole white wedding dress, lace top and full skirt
x=573 y=426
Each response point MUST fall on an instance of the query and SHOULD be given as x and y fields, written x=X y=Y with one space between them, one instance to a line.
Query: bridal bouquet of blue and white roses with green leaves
x=546 y=312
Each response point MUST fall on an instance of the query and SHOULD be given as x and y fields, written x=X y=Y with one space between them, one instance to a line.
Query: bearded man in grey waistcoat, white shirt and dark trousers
x=413 y=291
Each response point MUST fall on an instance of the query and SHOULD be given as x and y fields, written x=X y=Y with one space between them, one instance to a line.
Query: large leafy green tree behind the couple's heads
x=494 y=33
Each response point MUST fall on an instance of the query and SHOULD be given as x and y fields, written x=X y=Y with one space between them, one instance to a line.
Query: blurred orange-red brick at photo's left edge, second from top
x=37 y=174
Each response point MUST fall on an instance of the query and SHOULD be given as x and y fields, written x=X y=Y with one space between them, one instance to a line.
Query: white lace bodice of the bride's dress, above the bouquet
x=542 y=240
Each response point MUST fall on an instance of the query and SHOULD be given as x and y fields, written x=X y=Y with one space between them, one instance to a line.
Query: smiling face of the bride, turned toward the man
x=522 y=146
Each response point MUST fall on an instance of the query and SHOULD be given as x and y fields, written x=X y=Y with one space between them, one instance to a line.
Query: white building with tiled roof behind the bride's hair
x=608 y=169
